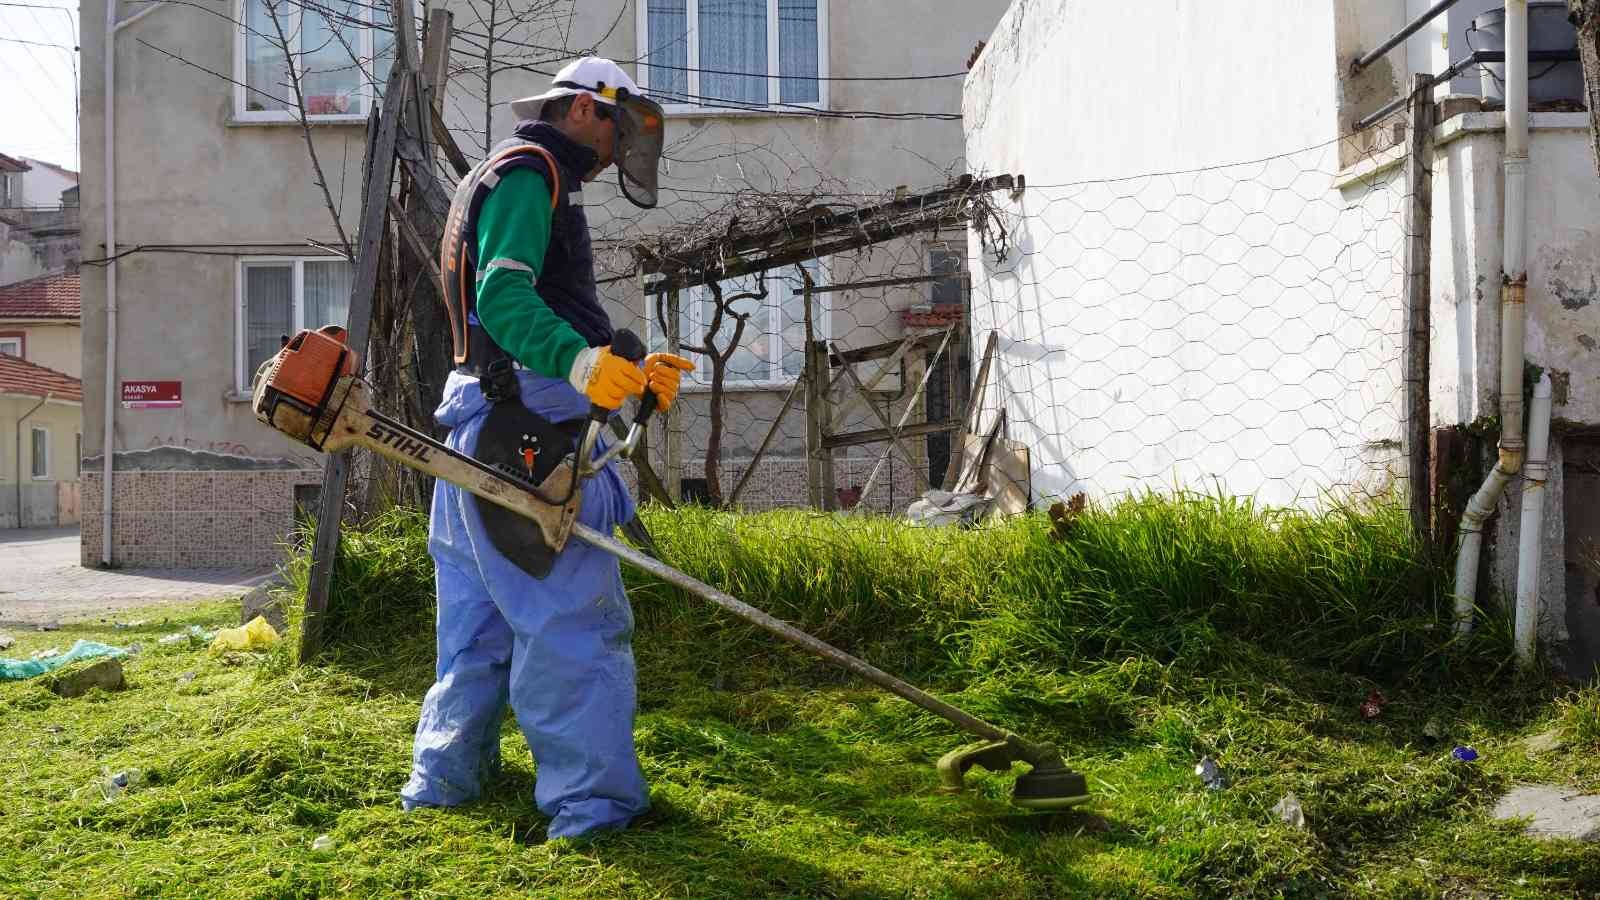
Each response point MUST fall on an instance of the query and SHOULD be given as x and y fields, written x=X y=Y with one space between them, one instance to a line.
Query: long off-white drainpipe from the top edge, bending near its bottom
x=1514 y=291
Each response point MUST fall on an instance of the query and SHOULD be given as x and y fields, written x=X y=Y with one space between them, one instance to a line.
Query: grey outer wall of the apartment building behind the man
x=190 y=175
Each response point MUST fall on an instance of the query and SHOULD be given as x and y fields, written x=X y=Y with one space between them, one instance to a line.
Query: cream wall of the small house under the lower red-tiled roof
x=54 y=499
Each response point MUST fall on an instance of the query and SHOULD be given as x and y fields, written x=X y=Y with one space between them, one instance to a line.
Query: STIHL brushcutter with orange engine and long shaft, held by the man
x=311 y=393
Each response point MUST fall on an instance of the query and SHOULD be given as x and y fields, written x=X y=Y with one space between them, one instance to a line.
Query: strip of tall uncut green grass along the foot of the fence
x=1162 y=577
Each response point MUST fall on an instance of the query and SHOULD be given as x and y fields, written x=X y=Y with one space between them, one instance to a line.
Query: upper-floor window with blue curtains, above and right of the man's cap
x=734 y=54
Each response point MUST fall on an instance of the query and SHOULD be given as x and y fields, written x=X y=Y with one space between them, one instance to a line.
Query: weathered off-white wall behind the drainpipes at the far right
x=1564 y=337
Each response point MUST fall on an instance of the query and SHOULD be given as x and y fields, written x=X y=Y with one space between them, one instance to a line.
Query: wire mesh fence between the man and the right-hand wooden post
x=1233 y=329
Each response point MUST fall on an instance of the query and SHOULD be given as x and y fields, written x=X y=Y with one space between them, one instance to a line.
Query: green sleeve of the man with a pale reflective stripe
x=514 y=225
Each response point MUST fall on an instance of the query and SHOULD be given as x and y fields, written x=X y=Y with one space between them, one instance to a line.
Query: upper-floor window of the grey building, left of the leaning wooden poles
x=343 y=50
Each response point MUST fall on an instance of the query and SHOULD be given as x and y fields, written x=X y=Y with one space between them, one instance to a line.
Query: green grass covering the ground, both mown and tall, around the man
x=1138 y=638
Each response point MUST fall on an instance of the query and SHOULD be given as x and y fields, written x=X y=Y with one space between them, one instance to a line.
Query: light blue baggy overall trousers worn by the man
x=558 y=651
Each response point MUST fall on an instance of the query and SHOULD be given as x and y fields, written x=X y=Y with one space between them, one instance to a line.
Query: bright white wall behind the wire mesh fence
x=1214 y=326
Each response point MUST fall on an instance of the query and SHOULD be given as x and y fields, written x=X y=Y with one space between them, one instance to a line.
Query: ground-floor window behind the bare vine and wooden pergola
x=772 y=350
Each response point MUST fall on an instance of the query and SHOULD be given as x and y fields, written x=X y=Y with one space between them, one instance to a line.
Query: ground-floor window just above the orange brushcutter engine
x=279 y=297
